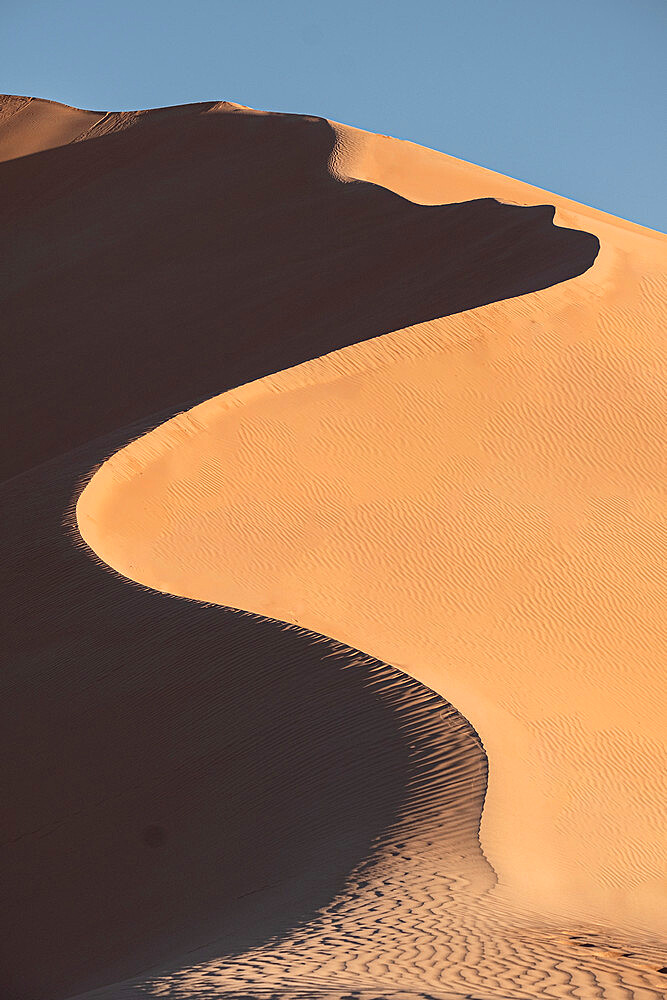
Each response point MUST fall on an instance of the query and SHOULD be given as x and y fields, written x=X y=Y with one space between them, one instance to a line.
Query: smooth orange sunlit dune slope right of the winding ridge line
x=477 y=499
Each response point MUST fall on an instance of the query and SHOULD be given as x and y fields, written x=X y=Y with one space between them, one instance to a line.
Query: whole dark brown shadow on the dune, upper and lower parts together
x=178 y=774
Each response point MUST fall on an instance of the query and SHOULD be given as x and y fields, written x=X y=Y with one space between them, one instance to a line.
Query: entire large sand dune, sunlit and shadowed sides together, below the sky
x=207 y=803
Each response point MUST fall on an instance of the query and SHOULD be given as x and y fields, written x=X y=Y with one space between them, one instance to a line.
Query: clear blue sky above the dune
x=567 y=94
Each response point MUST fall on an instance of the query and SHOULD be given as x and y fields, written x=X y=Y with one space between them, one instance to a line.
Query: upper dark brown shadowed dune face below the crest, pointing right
x=159 y=265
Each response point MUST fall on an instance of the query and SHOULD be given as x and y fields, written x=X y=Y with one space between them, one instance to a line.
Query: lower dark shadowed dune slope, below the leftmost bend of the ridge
x=181 y=780
